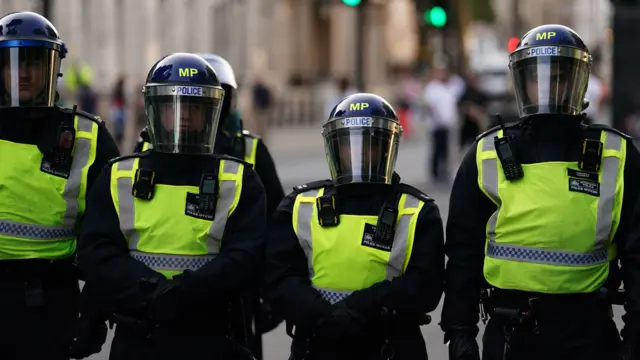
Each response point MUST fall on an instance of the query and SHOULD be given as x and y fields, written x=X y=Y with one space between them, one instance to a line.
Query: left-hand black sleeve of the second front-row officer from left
x=103 y=254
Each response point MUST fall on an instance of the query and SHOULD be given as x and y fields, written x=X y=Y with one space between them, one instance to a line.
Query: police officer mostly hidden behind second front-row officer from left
x=234 y=141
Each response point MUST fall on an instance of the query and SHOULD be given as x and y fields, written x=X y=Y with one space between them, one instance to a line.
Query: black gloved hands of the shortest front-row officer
x=342 y=322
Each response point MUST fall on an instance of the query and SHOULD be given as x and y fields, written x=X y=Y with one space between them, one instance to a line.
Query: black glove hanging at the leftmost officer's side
x=88 y=338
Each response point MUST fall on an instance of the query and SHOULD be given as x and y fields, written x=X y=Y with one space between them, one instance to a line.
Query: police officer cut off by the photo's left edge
x=50 y=157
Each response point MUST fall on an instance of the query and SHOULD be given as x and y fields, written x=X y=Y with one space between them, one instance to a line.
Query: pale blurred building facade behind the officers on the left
x=296 y=41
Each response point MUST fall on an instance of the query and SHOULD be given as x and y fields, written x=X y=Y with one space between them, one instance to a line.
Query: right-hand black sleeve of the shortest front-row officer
x=419 y=290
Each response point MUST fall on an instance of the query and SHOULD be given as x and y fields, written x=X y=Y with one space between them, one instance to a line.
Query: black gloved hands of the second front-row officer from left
x=165 y=298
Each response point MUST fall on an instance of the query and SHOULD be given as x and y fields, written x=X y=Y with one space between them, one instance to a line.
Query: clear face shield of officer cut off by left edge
x=29 y=76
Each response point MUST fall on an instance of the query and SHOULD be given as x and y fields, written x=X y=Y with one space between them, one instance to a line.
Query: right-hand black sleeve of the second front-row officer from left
x=242 y=253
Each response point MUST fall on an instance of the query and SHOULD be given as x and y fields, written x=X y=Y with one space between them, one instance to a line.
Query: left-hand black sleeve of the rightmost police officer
x=469 y=211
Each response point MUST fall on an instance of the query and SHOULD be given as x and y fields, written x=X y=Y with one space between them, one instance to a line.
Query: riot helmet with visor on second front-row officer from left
x=183 y=98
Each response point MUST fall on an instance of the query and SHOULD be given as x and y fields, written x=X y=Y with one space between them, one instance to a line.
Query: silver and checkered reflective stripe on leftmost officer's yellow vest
x=70 y=194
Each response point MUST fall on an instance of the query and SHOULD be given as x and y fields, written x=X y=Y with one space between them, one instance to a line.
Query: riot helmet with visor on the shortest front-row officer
x=361 y=140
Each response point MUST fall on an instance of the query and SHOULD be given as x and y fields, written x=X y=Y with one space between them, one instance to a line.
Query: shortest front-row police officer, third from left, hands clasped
x=355 y=263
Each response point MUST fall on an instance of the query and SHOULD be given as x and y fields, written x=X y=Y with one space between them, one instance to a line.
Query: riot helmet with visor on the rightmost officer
x=550 y=68
